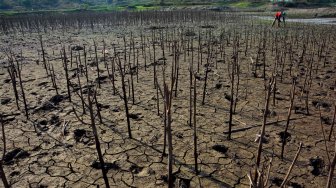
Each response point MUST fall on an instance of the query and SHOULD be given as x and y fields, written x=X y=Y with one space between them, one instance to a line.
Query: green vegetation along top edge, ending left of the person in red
x=115 y=4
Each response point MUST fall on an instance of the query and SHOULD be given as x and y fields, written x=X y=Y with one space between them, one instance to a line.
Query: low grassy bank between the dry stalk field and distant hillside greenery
x=245 y=6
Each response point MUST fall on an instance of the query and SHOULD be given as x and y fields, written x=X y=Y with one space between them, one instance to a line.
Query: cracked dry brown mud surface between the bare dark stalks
x=52 y=157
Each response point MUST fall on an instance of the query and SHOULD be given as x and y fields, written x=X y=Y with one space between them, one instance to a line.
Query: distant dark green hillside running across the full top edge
x=29 y=5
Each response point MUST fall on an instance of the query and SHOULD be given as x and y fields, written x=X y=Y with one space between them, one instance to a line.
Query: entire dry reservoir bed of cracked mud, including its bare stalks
x=56 y=147
